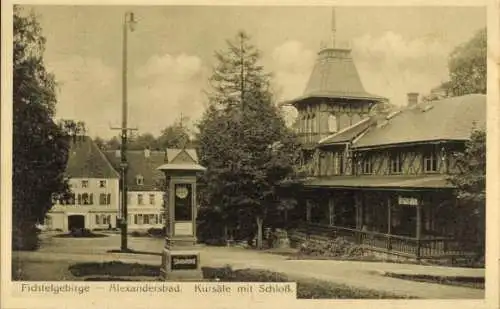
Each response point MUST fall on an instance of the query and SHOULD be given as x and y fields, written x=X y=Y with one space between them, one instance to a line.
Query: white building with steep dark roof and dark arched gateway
x=94 y=184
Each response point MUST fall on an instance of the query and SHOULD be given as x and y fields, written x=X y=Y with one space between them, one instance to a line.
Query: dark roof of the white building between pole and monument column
x=141 y=165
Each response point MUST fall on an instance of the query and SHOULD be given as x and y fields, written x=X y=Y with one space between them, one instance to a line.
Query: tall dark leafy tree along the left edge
x=40 y=146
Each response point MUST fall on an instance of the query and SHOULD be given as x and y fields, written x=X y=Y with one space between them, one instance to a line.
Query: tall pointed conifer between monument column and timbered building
x=243 y=141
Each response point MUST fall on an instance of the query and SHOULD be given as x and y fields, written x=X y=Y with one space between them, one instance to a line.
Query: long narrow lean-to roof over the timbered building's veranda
x=381 y=182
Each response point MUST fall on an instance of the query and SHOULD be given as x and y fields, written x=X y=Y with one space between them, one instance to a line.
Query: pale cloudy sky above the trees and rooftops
x=171 y=54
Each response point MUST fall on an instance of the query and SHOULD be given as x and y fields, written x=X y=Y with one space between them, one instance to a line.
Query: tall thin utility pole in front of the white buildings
x=128 y=25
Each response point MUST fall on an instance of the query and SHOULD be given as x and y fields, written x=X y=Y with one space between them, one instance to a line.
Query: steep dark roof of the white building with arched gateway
x=87 y=161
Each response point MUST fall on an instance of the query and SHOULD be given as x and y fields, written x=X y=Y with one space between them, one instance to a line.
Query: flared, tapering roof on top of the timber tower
x=335 y=76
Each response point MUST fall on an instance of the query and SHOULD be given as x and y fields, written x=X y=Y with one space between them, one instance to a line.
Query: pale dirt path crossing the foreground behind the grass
x=364 y=275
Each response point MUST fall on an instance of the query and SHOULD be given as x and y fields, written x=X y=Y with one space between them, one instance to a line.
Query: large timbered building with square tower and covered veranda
x=379 y=178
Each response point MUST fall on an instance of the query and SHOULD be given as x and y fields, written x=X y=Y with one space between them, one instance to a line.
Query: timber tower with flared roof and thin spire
x=334 y=97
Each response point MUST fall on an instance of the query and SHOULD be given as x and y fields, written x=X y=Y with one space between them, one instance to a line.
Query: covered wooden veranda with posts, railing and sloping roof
x=405 y=216
